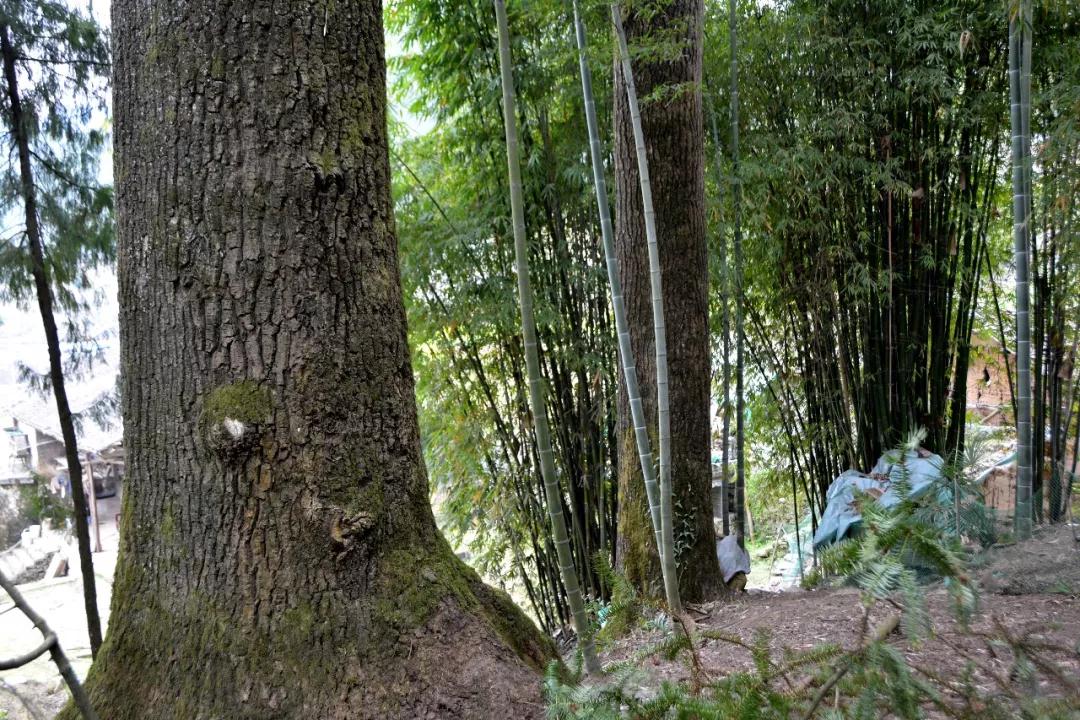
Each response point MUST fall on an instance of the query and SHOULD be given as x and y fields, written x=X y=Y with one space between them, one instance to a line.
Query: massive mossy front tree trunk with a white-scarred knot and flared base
x=279 y=556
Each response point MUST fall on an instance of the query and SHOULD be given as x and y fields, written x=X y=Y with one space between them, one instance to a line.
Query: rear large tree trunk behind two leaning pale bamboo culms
x=673 y=132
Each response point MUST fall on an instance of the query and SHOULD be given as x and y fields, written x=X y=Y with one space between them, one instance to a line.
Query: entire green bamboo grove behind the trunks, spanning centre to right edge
x=875 y=223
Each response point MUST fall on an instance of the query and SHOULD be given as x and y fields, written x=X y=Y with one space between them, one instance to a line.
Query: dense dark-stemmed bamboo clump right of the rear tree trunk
x=860 y=120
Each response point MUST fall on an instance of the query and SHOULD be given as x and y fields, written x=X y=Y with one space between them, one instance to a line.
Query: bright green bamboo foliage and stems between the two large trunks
x=452 y=209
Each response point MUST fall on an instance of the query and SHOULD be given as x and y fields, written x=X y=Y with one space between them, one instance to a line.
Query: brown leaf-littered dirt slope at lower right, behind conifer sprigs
x=1031 y=591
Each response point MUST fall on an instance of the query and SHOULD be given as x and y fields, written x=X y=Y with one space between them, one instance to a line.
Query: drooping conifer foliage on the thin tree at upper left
x=63 y=65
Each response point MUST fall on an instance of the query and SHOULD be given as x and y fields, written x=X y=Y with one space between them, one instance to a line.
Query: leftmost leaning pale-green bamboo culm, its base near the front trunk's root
x=552 y=492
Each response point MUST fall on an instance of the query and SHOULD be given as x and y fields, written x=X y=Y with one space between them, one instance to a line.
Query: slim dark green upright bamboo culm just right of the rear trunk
x=738 y=290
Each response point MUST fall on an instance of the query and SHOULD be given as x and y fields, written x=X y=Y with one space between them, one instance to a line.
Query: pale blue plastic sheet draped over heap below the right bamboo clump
x=921 y=468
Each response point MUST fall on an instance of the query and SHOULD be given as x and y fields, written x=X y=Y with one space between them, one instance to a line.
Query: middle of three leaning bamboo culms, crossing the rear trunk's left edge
x=626 y=351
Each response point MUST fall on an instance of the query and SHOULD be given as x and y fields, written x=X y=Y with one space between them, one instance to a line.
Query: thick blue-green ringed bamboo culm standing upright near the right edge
x=1018 y=35
